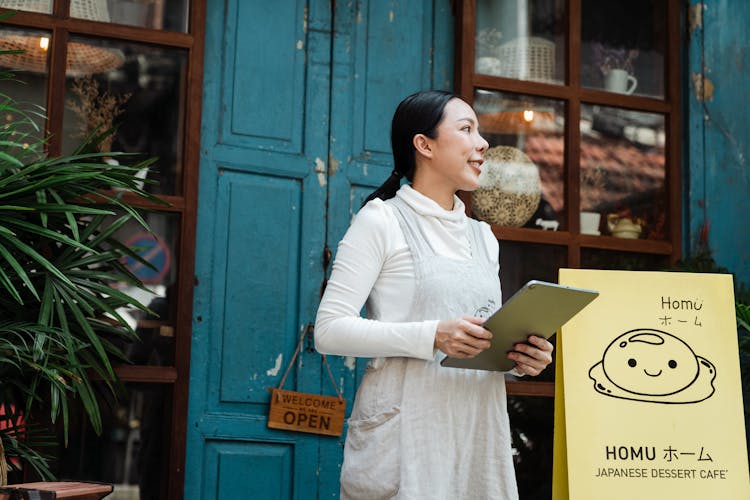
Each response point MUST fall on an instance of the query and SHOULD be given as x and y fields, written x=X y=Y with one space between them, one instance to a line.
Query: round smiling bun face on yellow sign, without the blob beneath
x=650 y=362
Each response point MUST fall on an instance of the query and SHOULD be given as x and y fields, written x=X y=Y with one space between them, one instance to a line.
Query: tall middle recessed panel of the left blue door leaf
x=246 y=240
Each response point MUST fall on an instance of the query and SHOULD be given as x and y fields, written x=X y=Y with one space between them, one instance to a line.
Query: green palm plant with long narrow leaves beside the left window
x=60 y=319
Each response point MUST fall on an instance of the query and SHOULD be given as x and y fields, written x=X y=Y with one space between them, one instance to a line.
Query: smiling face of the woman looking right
x=458 y=149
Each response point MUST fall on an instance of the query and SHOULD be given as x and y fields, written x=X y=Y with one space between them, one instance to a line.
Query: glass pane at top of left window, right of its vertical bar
x=154 y=14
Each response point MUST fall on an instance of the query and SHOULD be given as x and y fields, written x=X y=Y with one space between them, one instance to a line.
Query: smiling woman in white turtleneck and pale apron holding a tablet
x=428 y=275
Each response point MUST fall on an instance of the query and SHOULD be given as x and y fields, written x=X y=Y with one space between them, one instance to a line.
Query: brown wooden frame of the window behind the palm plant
x=62 y=26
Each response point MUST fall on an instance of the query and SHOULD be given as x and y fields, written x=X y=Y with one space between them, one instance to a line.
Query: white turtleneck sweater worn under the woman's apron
x=374 y=265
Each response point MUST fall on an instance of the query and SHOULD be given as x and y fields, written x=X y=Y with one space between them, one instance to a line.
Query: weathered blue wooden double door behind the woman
x=296 y=109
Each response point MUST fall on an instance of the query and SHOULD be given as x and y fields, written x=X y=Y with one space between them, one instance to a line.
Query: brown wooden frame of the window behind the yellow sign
x=573 y=94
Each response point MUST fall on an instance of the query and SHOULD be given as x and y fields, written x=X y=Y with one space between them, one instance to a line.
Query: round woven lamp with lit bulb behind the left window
x=83 y=59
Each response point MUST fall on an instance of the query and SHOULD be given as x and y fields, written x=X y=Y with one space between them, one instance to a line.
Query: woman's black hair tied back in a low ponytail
x=420 y=113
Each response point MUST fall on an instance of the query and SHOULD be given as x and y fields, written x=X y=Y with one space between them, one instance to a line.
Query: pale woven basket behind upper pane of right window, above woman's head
x=527 y=58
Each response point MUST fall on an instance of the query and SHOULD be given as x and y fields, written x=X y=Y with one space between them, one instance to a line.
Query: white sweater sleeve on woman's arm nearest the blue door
x=372 y=261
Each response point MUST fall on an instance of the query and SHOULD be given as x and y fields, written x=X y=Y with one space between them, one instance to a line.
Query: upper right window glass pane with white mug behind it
x=623 y=45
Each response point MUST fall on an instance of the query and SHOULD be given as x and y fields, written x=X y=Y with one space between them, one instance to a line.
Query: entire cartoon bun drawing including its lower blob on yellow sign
x=653 y=366
